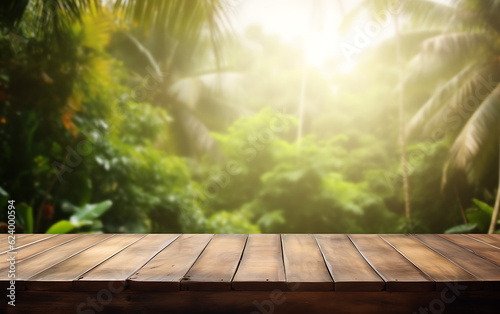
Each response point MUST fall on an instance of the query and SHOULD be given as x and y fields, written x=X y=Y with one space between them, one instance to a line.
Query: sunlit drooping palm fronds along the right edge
x=465 y=103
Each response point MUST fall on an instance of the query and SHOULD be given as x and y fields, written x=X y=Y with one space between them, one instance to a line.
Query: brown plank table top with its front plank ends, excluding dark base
x=255 y=262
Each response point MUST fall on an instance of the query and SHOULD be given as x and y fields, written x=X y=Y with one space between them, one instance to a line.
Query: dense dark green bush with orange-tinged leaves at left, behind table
x=77 y=138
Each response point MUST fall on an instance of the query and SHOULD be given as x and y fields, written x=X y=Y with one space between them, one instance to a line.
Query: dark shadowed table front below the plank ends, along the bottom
x=256 y=302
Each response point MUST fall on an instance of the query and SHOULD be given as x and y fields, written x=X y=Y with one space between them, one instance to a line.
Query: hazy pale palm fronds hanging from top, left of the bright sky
x=180 y=38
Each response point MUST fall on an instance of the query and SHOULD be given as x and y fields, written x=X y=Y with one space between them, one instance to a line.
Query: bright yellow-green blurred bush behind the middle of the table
x=287 y=193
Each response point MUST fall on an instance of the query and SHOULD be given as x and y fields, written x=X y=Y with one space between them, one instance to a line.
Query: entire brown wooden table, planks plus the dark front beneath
x=272 y=273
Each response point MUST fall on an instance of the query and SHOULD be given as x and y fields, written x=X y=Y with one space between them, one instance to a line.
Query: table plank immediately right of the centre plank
x=305 y=268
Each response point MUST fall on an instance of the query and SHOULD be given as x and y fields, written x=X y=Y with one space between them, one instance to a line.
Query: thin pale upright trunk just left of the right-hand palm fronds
x=402 y=135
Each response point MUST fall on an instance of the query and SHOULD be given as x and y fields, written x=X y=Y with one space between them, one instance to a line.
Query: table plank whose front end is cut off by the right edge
x=478 y=266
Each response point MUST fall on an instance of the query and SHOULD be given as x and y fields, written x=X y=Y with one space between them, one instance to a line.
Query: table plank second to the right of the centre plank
x=349 y=270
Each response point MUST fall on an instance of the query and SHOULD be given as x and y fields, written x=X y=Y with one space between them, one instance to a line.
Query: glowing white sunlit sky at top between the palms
x=291 y=19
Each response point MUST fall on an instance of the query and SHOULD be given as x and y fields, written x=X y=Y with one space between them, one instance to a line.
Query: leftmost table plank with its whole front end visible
x=62 y=275
